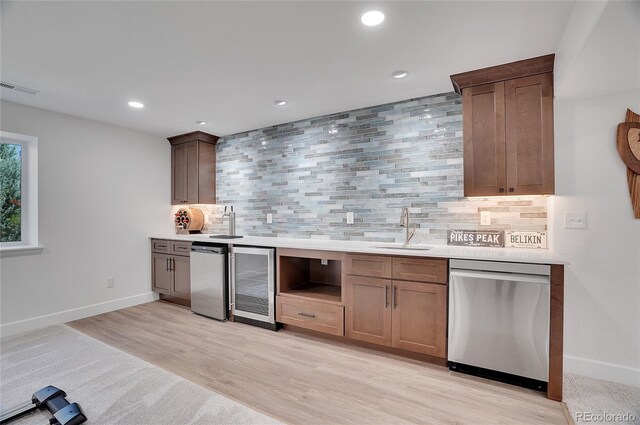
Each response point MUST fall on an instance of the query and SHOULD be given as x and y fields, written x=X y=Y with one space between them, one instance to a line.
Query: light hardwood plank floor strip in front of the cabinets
x=302 y=379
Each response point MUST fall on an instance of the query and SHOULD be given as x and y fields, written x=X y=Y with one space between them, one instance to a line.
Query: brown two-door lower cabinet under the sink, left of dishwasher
x=403 y=313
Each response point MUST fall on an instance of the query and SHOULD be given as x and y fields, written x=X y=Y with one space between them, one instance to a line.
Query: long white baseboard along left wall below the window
x=33 y=323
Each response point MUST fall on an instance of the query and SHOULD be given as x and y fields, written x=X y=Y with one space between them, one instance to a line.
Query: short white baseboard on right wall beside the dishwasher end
x=602 y=370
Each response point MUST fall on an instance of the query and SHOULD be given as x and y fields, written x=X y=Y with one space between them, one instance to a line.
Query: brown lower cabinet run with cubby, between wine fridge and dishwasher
x=395 y=302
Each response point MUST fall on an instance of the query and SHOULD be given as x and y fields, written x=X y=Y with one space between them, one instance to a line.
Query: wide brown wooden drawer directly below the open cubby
x=312 y=315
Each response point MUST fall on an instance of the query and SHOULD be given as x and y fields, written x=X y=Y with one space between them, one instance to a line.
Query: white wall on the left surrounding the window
x=102 y=191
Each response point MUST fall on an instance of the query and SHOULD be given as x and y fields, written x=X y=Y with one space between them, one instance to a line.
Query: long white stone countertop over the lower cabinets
x=515 y=255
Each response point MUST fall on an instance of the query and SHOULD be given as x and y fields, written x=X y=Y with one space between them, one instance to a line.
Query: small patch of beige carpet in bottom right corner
x=598 y=402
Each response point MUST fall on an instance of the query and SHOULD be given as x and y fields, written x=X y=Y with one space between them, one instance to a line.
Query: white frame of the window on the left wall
x=28 y=192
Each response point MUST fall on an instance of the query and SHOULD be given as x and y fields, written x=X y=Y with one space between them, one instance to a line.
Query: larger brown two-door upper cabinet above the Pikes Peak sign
x=507 y=113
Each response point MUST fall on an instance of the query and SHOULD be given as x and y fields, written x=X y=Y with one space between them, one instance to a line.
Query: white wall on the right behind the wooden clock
x=597 y=79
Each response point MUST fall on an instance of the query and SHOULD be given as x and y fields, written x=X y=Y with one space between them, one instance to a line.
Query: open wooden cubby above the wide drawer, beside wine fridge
x=313 y=275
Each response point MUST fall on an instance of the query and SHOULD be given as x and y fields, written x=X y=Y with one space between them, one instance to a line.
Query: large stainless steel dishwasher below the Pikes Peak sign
x=499 y=321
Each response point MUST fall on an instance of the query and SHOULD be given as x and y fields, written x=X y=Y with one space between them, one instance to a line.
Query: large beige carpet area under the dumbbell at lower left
x=111 y=386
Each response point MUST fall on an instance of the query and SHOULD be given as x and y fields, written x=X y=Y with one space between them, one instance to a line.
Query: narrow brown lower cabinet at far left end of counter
x=171 y=274
